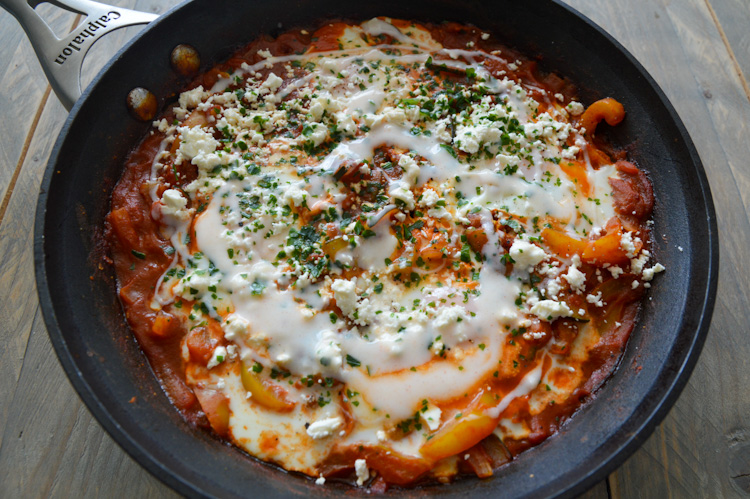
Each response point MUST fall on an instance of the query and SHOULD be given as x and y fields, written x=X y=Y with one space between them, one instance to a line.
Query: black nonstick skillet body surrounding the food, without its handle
x=110 y=373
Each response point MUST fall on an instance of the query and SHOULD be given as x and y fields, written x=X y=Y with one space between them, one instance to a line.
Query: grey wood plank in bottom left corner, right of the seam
x=73 y=457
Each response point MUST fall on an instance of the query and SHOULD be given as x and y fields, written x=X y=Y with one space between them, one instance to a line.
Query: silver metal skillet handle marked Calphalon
x=62 y=59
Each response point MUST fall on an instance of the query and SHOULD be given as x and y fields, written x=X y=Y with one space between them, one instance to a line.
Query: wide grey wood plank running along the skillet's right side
x=703 y=441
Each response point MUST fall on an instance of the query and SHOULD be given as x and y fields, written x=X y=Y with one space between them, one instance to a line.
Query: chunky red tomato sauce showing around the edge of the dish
x=141 y=255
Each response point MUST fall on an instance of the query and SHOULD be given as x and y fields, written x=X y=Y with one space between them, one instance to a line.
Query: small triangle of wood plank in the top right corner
x=733 y=17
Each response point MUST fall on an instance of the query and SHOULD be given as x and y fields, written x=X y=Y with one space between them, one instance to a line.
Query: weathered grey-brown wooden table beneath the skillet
x=697 y=50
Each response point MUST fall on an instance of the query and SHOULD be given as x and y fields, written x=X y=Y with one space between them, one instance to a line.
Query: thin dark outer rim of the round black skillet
x=582 y=481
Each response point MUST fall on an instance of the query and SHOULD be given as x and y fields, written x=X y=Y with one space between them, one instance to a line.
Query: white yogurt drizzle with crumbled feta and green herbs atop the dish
x=384 y=345
